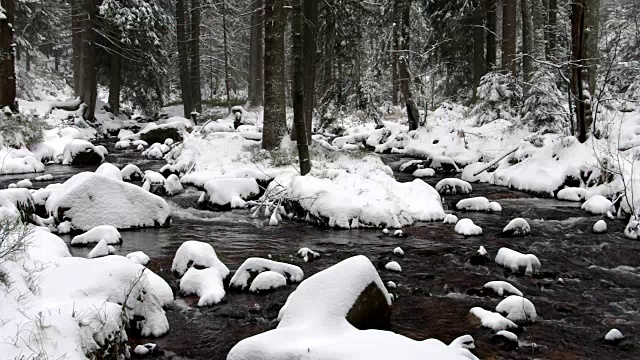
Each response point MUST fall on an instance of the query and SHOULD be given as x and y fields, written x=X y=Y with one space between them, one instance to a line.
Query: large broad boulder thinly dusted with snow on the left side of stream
x=88 y=200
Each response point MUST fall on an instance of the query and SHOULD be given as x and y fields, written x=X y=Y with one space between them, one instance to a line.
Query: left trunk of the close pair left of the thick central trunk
x=183 y=58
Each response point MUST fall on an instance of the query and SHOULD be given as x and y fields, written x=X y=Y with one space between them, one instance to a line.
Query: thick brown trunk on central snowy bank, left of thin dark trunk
x=275 y=125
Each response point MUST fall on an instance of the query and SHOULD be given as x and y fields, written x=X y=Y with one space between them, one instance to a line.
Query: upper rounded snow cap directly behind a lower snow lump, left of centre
x=197 y=253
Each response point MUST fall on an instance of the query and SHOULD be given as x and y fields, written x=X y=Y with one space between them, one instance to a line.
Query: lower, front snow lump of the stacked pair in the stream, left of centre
x=206 y=283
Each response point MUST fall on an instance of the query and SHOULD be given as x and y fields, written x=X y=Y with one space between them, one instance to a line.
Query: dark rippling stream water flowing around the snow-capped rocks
x=588 y=285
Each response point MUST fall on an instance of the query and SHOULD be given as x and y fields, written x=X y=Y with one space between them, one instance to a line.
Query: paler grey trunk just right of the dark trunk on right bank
x=592 y=28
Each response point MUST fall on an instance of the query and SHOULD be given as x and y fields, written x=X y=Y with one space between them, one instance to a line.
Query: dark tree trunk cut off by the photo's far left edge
x=7 y=61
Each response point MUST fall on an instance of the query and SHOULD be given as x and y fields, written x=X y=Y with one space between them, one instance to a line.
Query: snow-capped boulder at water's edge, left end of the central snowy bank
x=228 y=193
